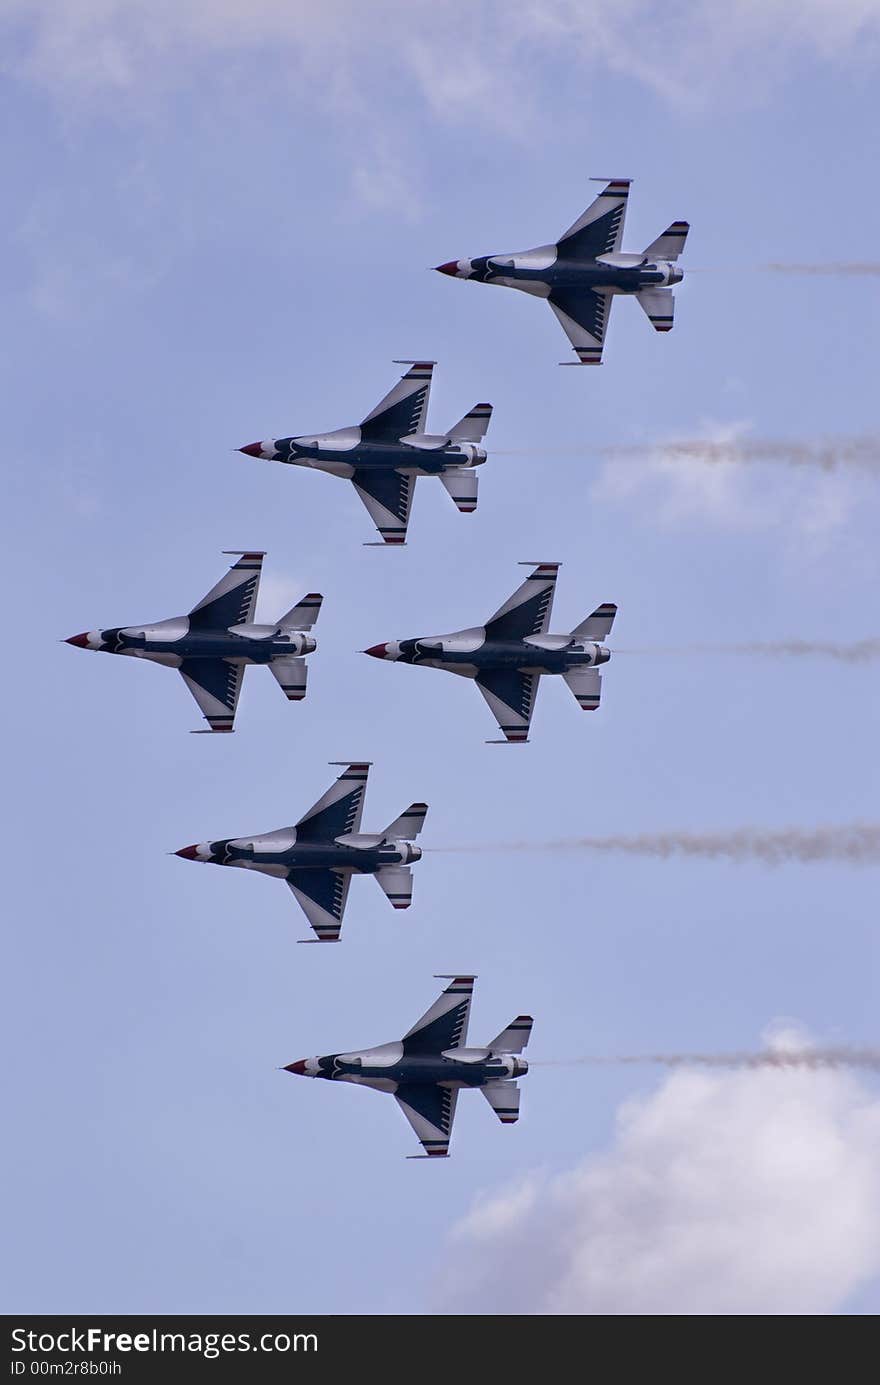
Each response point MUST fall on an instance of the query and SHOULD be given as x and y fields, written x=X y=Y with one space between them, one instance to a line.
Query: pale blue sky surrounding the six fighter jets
x=221 y=232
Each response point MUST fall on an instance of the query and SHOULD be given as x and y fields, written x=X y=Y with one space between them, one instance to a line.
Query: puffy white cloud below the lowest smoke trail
x=725 y=1193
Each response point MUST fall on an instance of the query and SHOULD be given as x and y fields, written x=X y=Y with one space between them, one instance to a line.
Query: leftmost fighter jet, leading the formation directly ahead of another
x=213 y=646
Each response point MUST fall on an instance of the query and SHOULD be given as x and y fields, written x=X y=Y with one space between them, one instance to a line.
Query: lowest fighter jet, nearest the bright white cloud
x=428 y=1069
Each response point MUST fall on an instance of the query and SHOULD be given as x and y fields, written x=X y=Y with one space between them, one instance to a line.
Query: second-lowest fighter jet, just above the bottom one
x=319 y=855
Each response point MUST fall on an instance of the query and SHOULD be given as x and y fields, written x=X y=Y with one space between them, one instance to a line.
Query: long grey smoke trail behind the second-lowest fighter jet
x=854 y=844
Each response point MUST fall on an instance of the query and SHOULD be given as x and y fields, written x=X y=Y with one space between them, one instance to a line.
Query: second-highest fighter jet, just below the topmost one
x=386 y=454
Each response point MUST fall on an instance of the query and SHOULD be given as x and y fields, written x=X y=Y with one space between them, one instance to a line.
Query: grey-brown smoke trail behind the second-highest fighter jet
x=828 y=455
